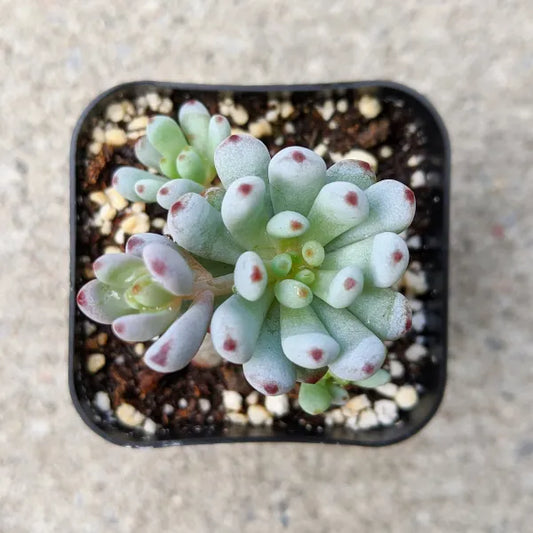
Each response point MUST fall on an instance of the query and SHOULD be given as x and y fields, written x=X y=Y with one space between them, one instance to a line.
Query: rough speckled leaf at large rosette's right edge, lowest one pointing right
x=385 y=312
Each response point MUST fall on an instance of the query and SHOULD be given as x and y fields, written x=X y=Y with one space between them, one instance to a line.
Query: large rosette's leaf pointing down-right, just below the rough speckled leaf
x=362 y=353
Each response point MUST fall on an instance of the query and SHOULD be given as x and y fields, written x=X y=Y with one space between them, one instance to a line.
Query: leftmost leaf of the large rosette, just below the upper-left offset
x=197 y=226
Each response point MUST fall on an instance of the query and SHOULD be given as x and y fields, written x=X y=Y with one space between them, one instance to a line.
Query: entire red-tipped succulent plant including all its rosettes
x=314 y=252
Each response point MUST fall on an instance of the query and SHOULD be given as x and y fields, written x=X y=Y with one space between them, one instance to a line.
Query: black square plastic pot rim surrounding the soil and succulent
x=435 y=260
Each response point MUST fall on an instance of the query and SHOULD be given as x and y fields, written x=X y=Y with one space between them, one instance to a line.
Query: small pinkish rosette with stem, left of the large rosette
x=152 y=290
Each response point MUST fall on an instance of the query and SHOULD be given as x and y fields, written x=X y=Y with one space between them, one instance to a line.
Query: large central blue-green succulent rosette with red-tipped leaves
x=315 y=252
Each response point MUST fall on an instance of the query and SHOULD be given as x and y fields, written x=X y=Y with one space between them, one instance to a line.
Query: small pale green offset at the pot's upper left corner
x=183 y=150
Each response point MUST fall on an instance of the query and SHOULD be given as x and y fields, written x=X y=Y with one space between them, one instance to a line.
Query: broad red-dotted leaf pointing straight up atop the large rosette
x=296 y=175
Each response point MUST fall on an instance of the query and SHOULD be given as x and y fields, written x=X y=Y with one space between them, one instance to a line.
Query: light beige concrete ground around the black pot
x=471 y=469
